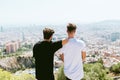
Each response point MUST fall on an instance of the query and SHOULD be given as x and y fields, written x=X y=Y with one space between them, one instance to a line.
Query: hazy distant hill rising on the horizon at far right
x=103 y=25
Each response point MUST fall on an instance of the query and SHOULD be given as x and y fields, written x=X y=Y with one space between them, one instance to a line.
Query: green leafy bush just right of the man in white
x=95 y=72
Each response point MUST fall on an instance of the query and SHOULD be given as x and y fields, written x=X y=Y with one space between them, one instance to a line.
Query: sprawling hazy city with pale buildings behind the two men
x=102 y=42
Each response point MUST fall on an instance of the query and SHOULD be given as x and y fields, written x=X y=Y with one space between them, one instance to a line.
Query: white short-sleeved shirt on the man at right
x=73 y=66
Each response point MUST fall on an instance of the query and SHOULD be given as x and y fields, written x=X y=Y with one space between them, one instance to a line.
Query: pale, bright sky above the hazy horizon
x=58 y=11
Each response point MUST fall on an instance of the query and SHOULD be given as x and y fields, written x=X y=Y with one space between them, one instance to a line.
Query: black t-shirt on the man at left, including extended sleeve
x=43 y=52
